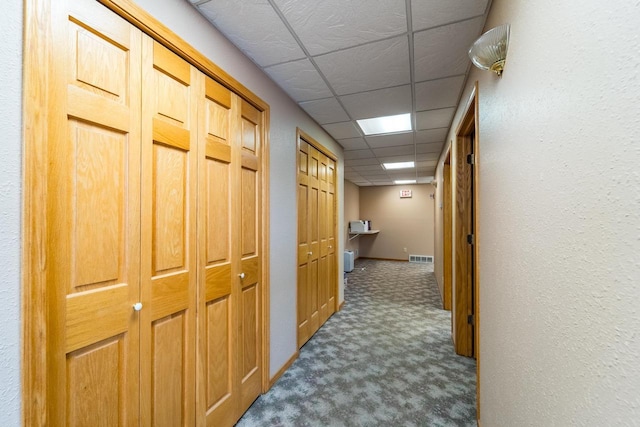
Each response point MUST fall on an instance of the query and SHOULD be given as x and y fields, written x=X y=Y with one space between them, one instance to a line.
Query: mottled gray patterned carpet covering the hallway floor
x=386 y=359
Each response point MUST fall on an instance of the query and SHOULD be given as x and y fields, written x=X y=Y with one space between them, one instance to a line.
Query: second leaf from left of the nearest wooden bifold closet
x=171 y=90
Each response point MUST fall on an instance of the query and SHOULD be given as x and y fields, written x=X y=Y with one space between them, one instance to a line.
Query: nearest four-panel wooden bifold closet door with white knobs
x=152 y=257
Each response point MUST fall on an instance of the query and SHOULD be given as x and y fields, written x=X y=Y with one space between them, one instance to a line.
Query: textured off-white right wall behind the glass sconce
x=559 y=218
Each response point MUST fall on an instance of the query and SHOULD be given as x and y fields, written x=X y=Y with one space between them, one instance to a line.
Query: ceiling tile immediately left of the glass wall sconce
x=430 y=46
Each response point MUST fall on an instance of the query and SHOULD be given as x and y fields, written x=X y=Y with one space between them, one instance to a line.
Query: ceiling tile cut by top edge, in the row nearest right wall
x=433 y=13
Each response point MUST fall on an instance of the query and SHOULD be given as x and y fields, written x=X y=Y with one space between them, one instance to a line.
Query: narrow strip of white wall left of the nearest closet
x=10 y=210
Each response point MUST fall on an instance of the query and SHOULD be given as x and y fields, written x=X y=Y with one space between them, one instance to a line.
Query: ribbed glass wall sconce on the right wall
x=490 y=51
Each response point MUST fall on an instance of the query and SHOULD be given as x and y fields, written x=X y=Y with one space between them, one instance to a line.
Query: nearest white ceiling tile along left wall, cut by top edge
x=243 y=23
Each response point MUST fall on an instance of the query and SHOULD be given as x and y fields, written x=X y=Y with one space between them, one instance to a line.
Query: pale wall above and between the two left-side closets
x=187 y=23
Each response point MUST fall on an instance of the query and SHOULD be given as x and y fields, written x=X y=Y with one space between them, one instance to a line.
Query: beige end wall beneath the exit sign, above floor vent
x=403 y=223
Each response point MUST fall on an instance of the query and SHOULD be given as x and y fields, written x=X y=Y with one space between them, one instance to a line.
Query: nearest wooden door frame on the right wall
x=469 y=125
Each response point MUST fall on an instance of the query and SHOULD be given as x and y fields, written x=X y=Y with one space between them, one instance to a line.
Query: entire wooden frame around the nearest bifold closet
x=39 y=103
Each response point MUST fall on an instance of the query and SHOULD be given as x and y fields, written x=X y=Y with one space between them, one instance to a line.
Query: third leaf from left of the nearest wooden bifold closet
x=218 y=387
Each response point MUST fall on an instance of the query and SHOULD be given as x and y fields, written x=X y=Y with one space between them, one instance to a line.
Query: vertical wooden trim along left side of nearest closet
x=37 y=99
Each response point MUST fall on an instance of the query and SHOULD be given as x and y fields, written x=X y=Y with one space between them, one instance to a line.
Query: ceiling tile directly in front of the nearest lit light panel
x=377 y=103
